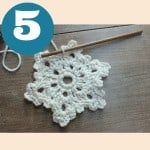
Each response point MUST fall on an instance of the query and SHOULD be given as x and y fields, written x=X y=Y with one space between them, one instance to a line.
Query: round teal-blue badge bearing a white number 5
x=27 y=28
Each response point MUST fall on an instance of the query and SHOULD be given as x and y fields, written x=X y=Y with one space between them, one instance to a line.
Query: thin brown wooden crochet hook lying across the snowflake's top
x=82 y=46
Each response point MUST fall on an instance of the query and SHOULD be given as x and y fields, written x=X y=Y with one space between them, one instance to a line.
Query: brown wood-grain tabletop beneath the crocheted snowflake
x=127 y=87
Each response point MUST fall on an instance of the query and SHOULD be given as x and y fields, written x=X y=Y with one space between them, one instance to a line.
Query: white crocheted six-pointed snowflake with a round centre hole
x=68 y=84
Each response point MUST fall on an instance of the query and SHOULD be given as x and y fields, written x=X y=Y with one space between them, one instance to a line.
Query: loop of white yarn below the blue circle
x=4 y=53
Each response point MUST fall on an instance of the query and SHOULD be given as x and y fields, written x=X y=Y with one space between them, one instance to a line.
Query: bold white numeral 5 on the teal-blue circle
x=22 y=18
